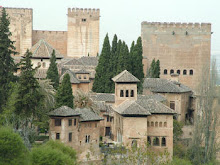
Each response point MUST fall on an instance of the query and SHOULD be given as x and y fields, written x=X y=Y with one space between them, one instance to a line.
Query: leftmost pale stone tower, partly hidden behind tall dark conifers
x=21 y=23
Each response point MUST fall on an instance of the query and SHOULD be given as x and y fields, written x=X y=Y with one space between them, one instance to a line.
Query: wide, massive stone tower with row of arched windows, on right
x=181 y=48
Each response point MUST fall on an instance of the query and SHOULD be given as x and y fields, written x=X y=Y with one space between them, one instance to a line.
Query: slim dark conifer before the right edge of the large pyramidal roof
x=52 y=72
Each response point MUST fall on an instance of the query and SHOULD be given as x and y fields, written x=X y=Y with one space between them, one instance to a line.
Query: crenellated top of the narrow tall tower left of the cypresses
x=84 y=12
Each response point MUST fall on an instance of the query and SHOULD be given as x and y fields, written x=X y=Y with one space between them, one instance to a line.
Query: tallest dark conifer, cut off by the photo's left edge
x=7 y=65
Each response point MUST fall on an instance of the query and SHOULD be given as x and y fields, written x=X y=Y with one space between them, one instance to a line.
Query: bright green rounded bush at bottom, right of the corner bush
x=53 y=153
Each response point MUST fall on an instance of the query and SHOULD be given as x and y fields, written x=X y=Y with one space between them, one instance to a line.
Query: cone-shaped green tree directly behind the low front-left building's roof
x=64 y=95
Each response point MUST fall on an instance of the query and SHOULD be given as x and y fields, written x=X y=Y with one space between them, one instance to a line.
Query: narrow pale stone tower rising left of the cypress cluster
x=83 y=32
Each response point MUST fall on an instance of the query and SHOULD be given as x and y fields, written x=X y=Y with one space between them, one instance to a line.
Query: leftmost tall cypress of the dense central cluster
x=102 y=82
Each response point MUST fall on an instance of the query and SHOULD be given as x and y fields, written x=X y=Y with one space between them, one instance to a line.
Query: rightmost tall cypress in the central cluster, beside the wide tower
x=137 y=63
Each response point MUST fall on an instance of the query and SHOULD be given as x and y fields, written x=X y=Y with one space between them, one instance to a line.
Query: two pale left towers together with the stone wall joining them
x=81 y=38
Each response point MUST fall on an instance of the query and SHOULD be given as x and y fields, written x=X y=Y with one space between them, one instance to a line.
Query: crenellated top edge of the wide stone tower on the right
x=178 y=25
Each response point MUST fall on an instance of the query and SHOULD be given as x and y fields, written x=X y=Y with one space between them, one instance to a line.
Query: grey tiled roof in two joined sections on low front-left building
x=84 y=113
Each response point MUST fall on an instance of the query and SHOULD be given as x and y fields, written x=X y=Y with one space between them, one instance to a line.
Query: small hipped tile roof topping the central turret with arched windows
x=125 y=76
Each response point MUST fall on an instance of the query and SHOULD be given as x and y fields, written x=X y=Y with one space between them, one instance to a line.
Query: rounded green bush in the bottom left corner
x=12 y=148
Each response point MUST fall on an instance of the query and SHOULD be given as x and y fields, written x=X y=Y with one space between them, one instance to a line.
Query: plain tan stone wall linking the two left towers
x=57 y=39
